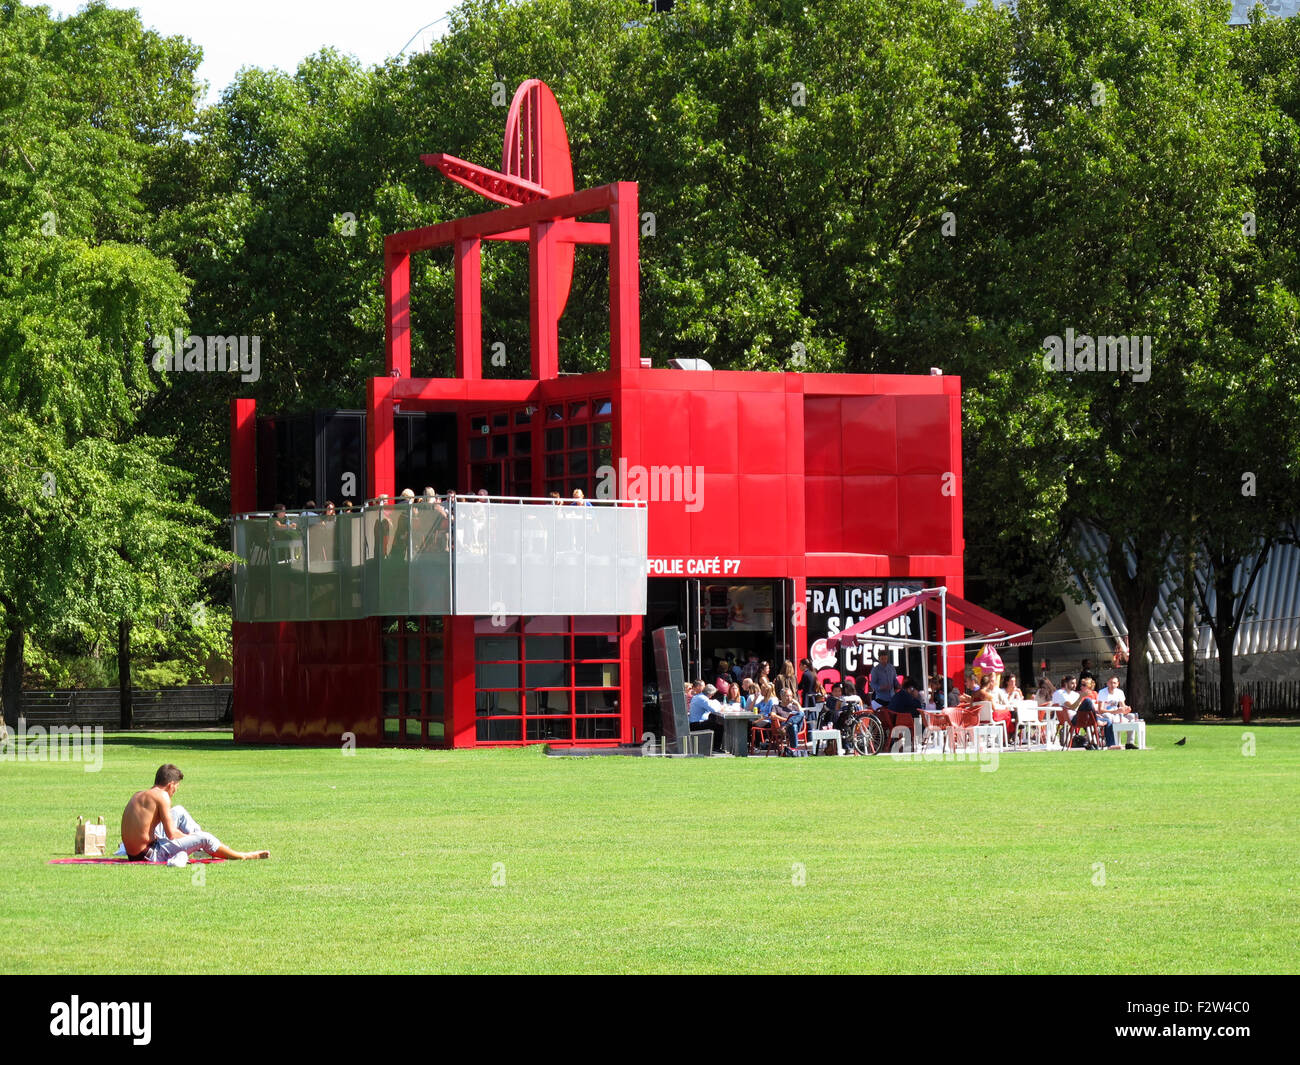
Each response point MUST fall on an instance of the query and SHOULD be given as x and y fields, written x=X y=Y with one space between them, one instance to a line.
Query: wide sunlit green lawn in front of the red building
x=1175 y=860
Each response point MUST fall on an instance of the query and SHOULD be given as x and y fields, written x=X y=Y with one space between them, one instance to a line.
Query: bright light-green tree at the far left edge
x=94 y=527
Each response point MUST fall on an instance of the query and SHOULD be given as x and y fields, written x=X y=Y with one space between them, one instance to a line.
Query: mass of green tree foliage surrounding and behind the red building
x=857 y=185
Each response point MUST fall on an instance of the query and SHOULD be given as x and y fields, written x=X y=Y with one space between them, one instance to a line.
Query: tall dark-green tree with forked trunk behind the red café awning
x=1110 y=153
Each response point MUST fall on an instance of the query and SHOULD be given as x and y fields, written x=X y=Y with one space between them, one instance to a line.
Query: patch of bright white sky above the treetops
x=281 y=33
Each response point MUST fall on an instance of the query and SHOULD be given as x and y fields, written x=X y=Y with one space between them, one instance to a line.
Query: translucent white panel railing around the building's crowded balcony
x=478 y=556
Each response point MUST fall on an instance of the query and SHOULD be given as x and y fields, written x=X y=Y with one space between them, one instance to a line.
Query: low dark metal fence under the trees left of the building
x=203 y=704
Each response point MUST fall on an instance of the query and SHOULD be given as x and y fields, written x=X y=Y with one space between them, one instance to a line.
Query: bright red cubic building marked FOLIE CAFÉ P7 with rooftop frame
x=778 y=509
